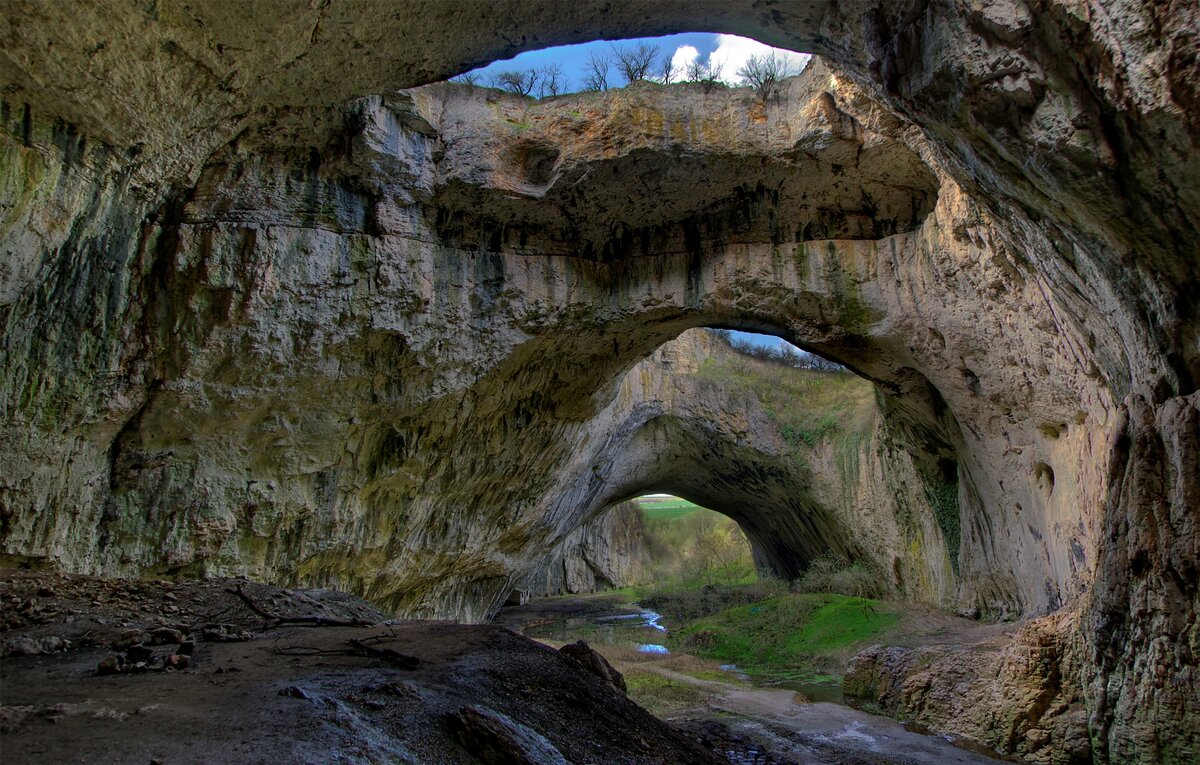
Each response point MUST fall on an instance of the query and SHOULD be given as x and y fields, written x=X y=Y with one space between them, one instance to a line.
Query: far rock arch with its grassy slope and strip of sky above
x=800 y=451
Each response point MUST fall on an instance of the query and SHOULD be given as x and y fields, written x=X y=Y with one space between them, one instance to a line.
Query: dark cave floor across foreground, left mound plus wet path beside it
x=259 y=689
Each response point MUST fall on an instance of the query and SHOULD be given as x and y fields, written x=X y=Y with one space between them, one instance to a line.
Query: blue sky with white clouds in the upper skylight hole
x=730 y=51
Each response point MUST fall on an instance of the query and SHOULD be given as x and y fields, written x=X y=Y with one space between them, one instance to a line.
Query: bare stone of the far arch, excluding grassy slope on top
x=721 y=449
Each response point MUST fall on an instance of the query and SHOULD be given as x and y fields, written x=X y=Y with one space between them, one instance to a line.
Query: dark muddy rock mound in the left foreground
x=304 y=694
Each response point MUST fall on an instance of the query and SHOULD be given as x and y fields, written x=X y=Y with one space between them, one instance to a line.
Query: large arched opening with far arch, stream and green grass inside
x=753 y=490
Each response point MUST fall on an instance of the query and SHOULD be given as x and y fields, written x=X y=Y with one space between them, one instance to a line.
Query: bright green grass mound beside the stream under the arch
x=799 y=634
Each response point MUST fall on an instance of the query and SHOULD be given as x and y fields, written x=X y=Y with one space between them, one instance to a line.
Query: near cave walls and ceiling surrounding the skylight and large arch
x=254 y=327
